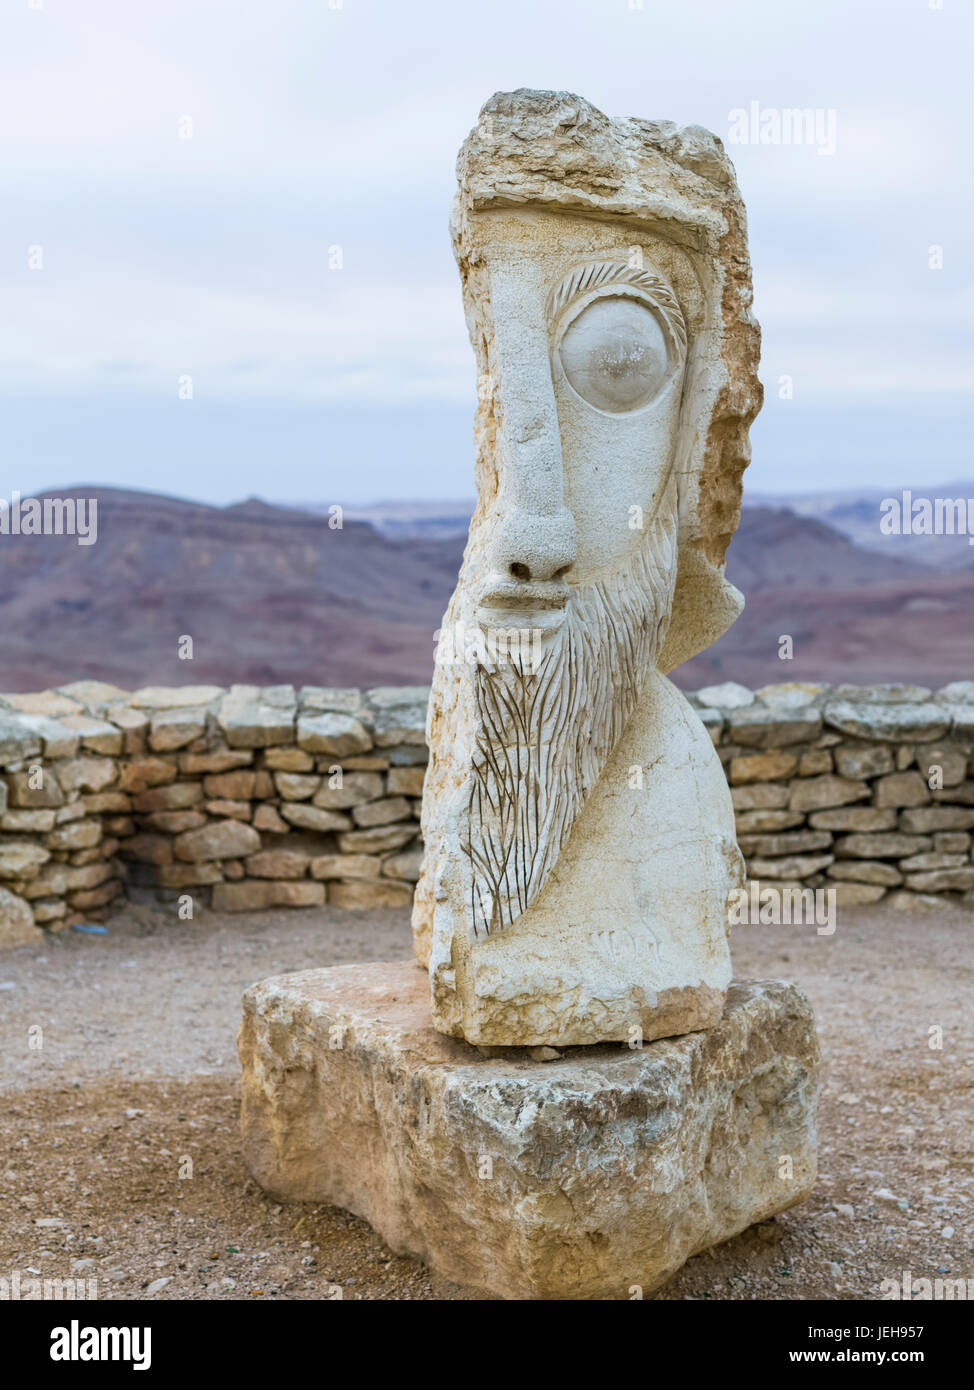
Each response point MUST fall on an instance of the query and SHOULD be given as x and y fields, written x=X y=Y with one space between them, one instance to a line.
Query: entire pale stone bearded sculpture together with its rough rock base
x=579 y=828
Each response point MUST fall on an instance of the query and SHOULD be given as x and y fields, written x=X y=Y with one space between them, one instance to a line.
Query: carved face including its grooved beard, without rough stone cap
x=587 y=361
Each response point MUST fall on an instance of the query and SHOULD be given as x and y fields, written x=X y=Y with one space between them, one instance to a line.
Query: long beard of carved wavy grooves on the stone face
x=547 y=730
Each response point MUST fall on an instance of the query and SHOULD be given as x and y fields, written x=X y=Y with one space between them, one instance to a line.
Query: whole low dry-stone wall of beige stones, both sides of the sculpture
x=255 y=799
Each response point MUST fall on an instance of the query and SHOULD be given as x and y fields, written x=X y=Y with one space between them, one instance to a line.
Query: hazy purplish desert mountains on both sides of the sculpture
x=274 y=594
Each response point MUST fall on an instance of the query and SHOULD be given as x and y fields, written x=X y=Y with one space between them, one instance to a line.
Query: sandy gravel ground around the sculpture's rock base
x=120 y=1131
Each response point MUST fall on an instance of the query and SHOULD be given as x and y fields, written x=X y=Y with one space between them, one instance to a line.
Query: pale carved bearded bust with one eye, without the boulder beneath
x=580 y=842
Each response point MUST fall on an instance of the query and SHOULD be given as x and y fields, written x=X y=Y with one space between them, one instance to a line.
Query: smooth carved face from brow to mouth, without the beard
x=588 y=370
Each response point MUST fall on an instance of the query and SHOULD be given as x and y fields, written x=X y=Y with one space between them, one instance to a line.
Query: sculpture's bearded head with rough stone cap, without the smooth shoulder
x=608 y=297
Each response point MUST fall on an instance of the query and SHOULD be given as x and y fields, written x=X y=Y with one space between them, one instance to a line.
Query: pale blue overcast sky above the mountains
x=312 y=127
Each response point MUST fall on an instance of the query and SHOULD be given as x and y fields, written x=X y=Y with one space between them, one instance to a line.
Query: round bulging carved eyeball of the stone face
x=616 y=355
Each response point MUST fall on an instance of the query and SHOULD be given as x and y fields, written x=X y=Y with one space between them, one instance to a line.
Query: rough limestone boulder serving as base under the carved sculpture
x=575 y=1178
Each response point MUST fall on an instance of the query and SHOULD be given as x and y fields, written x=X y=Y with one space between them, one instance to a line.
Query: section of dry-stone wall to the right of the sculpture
x=865 y=790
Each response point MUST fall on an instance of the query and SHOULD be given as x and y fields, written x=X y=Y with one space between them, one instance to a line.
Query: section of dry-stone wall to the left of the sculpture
x=240 y=800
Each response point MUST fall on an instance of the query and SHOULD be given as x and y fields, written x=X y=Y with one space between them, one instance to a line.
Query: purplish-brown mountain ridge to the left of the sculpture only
x=269 y=594
